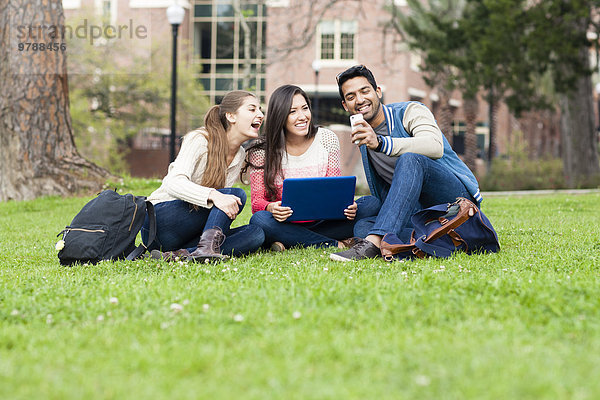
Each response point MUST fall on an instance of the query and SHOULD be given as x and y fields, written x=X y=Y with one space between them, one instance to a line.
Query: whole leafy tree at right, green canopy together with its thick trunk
x=507 y=48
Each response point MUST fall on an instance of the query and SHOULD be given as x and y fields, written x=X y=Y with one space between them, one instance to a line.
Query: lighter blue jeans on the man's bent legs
x=418 y=182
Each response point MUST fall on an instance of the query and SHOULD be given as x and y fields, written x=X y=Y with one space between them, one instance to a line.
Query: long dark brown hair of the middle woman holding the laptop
x=273 y=139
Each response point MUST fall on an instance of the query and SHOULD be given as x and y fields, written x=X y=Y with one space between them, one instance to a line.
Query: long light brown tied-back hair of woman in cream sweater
x=217 y=125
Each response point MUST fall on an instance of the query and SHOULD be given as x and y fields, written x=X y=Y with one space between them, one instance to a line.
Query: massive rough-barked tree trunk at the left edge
x=36 y=142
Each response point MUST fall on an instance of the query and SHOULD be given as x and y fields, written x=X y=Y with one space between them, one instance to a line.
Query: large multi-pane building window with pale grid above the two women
x=220 y=35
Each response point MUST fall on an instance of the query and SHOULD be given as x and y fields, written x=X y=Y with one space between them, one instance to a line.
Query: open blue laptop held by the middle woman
x=318 y=198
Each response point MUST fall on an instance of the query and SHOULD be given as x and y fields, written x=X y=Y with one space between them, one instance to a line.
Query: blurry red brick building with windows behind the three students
x=262 y=44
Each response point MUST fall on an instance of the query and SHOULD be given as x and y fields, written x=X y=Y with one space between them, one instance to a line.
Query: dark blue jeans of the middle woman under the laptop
x=316 y=233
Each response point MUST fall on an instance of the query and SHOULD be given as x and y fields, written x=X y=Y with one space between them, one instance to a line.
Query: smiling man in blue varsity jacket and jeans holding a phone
x=408 y=162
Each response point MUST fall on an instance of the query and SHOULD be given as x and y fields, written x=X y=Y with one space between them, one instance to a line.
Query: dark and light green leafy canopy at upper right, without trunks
x=507 y=45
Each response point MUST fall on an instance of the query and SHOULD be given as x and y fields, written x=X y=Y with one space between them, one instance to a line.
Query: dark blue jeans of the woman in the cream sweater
x=179 y=226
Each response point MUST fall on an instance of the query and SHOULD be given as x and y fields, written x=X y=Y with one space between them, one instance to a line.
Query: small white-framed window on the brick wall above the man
x=337 y=40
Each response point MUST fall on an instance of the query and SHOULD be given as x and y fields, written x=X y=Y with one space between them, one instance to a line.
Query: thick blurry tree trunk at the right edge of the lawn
x=579 y=135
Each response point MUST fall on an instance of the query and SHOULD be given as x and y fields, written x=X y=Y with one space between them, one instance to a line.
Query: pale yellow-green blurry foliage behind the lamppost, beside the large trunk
x=116 y=94
